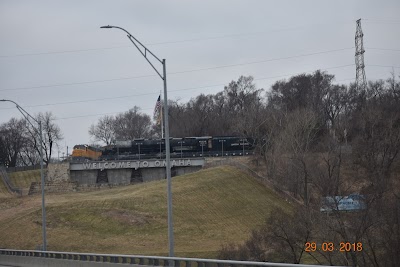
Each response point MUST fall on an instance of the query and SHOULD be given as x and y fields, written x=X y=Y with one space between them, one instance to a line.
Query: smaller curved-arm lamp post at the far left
x=27 y=116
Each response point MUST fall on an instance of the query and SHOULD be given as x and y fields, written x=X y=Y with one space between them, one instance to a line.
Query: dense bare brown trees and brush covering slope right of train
x=324 y=140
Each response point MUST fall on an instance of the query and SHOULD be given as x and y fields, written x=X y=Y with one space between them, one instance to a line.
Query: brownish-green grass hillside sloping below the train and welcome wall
x=210 y=208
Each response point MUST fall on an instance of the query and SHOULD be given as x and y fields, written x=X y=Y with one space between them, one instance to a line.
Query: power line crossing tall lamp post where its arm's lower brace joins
x=177 y=72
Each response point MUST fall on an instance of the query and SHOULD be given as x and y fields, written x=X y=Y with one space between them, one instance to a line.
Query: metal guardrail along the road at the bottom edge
x=140 y=260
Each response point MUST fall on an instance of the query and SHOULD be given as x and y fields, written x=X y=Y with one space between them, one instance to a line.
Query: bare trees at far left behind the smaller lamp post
x=20 y=143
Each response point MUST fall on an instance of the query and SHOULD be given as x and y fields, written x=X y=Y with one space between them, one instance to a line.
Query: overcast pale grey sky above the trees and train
x=54 y=57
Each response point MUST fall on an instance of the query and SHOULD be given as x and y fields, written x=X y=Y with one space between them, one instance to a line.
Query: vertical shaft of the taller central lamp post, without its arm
x=168 y=168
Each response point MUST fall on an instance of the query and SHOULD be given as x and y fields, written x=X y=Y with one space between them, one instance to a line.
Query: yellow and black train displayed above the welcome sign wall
x=205 y=146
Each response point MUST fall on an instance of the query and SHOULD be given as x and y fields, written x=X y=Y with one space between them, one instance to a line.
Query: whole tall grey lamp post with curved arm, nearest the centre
x=145 y=52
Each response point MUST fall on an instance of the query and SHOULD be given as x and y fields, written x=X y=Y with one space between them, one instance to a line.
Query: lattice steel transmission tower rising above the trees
x=359 y=57
